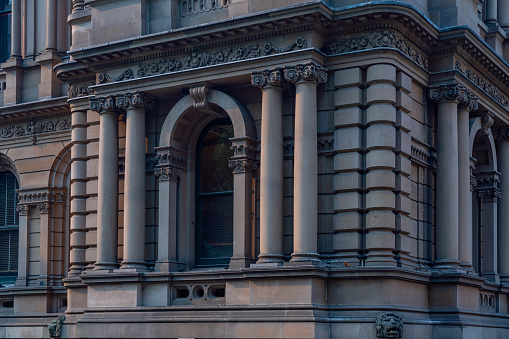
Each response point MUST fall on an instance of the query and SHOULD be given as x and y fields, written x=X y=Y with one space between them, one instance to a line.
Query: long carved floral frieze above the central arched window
x=198 y=59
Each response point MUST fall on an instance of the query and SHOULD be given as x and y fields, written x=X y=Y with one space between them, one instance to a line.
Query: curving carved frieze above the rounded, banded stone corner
x=377 y=39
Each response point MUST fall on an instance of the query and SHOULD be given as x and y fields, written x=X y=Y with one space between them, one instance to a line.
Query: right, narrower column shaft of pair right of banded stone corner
x=464 y=193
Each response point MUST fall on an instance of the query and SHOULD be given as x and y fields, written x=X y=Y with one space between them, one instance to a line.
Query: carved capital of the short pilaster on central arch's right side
x=245 y=152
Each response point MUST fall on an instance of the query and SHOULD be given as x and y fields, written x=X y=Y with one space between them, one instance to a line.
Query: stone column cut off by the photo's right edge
x=503 y=210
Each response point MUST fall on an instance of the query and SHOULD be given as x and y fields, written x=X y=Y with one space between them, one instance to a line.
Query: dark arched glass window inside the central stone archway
x=214 y=195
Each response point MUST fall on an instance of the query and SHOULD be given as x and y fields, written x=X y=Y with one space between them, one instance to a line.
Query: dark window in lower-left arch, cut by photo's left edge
x=9 y=223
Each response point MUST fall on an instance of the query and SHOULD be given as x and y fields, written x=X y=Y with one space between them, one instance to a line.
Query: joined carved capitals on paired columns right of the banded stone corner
x=454 y=92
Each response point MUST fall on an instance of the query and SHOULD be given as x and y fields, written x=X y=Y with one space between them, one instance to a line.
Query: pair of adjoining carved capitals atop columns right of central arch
x=292 y=74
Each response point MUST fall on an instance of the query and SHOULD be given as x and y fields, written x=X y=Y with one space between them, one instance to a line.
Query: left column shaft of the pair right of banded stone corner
x=447 y=184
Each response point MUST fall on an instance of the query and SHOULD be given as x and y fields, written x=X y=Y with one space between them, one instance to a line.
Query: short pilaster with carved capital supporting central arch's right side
x=243 y=164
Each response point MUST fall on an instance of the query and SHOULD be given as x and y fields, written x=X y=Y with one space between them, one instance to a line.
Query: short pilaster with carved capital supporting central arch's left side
x=171 y=161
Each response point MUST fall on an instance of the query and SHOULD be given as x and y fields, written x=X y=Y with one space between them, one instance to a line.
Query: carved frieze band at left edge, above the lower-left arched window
x=35 y=127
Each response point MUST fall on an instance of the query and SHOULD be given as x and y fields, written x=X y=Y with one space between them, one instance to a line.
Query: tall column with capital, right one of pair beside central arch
x=305 y=190
